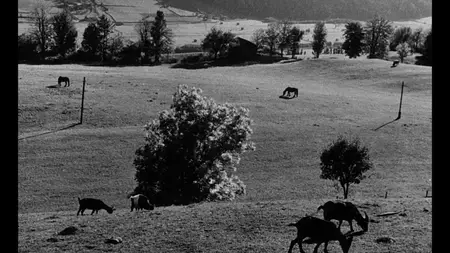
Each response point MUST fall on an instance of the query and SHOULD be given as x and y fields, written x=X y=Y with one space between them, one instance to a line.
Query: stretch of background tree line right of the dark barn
x=375 y=38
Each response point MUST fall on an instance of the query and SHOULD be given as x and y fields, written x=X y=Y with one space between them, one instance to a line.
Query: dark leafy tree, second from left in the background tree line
x=64 y=33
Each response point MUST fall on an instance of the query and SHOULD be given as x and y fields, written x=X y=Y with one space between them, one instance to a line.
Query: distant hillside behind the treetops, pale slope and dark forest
x=193 y=10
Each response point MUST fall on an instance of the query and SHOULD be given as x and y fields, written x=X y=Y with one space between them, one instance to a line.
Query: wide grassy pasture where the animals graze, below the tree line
x=336 y=96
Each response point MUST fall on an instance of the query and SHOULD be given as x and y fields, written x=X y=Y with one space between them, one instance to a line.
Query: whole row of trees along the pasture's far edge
x=55 y=37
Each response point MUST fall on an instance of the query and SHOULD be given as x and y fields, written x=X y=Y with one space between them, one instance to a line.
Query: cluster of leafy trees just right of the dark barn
x=280 y=35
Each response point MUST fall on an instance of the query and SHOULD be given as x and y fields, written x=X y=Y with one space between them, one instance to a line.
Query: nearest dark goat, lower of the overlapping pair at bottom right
x=319 y=231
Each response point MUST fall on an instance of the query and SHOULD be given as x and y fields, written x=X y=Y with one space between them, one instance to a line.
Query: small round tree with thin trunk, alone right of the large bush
x=345 y=162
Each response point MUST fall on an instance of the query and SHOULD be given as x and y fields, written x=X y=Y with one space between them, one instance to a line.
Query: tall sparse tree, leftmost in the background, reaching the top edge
x=41 y=28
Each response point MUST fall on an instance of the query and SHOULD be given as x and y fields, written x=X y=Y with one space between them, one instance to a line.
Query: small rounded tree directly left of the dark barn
x=217 y=41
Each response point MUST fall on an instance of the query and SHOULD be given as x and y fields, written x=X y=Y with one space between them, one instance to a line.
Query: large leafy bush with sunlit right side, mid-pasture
x=191 y=151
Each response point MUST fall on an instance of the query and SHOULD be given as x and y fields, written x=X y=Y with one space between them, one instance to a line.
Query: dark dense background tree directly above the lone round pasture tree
x=354 y=36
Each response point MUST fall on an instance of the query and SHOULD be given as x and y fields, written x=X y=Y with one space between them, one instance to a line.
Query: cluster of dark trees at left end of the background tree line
x=56 y=37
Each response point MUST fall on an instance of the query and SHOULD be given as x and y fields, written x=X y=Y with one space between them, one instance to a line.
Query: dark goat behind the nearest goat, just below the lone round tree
x=344 y=211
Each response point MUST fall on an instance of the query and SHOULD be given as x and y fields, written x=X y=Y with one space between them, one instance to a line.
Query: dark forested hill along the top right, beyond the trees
x=394 y=10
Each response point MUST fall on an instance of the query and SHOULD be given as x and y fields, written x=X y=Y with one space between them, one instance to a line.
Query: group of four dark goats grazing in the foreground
x=310 y=229
